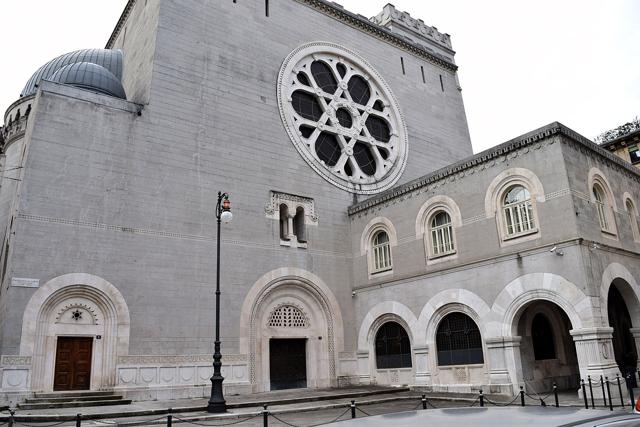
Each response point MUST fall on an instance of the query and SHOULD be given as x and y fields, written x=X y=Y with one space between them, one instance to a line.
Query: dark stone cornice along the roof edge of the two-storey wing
x=527 y=139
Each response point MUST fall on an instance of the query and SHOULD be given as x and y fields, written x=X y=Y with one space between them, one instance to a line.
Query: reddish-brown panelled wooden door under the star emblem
x=73 y=363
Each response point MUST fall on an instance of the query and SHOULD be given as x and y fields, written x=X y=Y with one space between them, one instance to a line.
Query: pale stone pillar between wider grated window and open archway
x=505 y=366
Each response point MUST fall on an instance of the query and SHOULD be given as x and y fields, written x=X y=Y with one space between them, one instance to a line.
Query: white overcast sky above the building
x=522 y=64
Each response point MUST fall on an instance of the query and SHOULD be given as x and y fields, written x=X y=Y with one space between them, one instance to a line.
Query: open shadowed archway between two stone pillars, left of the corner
x=547 y=350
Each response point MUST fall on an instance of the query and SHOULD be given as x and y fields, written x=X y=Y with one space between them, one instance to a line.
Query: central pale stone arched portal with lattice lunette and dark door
x=290 y=317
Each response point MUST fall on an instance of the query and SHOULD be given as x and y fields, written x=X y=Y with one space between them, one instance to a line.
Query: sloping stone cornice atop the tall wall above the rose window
x=365 y=25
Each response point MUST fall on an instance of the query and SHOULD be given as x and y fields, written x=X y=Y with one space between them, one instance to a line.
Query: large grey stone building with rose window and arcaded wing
x=368 y=244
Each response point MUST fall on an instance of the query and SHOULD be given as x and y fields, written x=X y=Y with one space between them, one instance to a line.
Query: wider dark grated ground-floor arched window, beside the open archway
x=458 y=341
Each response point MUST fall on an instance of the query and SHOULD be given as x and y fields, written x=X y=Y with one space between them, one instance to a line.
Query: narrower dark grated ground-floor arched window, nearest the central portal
x=393 y=348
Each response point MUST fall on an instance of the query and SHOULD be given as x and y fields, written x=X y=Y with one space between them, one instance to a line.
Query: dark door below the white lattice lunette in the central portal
x=288 y=363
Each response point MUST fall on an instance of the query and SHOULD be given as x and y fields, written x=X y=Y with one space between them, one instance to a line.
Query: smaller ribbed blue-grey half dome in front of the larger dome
x=89 y=76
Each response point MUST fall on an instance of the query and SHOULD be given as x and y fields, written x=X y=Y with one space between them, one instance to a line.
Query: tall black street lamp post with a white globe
x=217 y=403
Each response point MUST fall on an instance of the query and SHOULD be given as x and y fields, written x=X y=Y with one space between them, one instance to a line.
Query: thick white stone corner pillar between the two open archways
x=594 y=348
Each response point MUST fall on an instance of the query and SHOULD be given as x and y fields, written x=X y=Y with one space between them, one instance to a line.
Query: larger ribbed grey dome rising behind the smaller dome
x=107 y=58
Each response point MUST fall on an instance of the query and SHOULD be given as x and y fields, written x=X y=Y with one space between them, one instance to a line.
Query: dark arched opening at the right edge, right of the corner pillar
x=624 y=346
